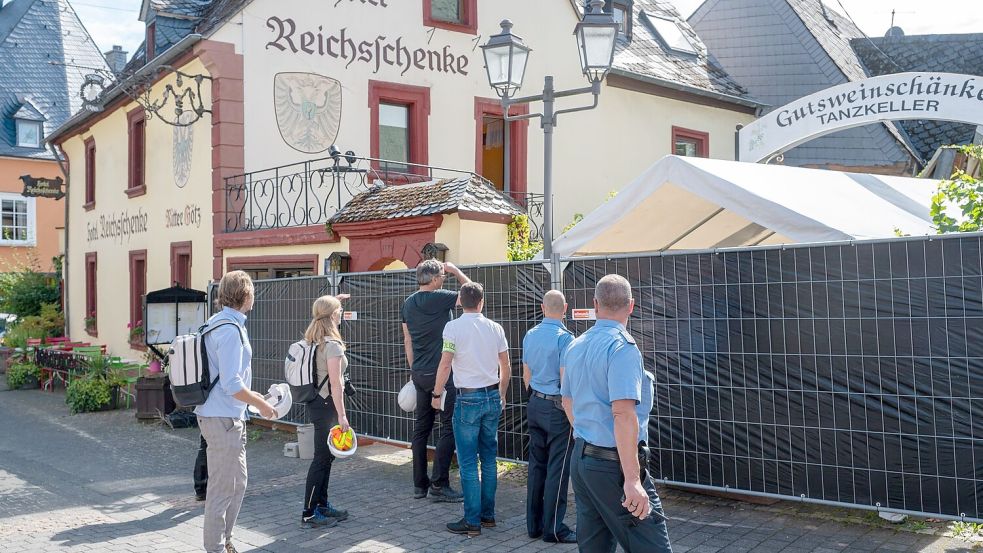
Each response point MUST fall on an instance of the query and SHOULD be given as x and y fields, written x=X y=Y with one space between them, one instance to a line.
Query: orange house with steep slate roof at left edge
x=43 y=47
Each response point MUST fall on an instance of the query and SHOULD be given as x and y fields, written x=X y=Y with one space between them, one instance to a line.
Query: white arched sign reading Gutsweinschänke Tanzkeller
x=932 y=96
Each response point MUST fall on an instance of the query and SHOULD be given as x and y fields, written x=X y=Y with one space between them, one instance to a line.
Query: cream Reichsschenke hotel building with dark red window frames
x=315 y=103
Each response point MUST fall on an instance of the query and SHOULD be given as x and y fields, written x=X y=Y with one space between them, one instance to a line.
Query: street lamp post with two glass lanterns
x=506 y=57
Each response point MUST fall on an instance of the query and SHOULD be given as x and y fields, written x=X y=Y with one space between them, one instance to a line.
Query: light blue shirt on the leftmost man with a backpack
x=230 y=359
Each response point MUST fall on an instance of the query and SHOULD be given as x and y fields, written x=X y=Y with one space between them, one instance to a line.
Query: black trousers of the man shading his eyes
x=425 y=415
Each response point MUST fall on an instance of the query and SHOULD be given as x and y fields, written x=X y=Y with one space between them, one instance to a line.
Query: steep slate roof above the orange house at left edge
x=37 y=37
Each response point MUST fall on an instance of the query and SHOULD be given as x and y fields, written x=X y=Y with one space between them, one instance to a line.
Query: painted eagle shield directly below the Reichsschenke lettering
x=308 y=110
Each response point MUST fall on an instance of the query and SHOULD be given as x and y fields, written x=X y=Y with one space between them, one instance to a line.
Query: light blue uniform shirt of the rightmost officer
x=604 y=365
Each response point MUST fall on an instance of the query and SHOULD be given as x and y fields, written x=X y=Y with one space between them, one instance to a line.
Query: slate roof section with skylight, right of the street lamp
x=647 y=55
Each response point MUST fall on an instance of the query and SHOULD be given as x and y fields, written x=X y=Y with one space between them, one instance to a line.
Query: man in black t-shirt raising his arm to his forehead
x=424 y=315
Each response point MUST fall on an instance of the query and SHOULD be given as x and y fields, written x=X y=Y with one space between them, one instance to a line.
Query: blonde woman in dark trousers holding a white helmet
x=327 y=410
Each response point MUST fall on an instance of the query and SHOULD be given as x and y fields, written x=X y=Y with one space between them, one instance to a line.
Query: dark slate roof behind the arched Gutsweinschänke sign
x=946 y=53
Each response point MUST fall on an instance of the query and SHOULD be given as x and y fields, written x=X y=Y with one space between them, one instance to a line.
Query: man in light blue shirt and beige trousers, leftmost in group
x=221 y=417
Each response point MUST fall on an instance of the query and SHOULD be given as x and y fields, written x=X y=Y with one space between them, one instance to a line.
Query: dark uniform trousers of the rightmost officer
x=602 y=522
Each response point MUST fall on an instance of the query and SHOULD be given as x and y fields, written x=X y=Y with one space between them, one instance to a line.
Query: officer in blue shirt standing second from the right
x=550 y=443
